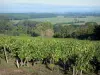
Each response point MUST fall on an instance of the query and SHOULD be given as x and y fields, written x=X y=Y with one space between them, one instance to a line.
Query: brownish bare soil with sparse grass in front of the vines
x=38 y=69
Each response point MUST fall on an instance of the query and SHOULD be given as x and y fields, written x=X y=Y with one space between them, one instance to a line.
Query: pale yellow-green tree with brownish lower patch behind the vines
x=44 y=29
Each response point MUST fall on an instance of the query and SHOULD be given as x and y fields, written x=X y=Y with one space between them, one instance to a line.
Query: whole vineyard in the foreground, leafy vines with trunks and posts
x=75 y=55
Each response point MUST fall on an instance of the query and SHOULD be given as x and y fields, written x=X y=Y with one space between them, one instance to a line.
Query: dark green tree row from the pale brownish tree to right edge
x=88 y=31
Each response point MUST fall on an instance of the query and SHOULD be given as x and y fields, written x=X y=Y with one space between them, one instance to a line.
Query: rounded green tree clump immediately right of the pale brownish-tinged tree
x=63 y=31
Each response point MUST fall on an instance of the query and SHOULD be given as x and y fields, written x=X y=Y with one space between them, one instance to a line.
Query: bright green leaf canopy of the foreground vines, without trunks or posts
x=40 y=48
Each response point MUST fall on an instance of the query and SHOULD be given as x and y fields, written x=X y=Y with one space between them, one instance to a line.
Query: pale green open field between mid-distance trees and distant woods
x=61 y=19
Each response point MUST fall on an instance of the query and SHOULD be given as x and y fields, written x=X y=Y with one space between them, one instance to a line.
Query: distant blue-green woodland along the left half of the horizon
x=21 y=16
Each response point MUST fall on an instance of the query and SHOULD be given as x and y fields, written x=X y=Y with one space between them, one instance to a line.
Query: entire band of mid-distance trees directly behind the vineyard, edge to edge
x=46 y=29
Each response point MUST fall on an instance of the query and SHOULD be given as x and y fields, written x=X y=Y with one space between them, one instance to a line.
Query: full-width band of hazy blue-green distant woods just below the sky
x=21 y=16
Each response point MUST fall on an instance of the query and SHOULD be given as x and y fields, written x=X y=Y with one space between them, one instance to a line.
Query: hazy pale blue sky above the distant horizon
x=48 y=5
